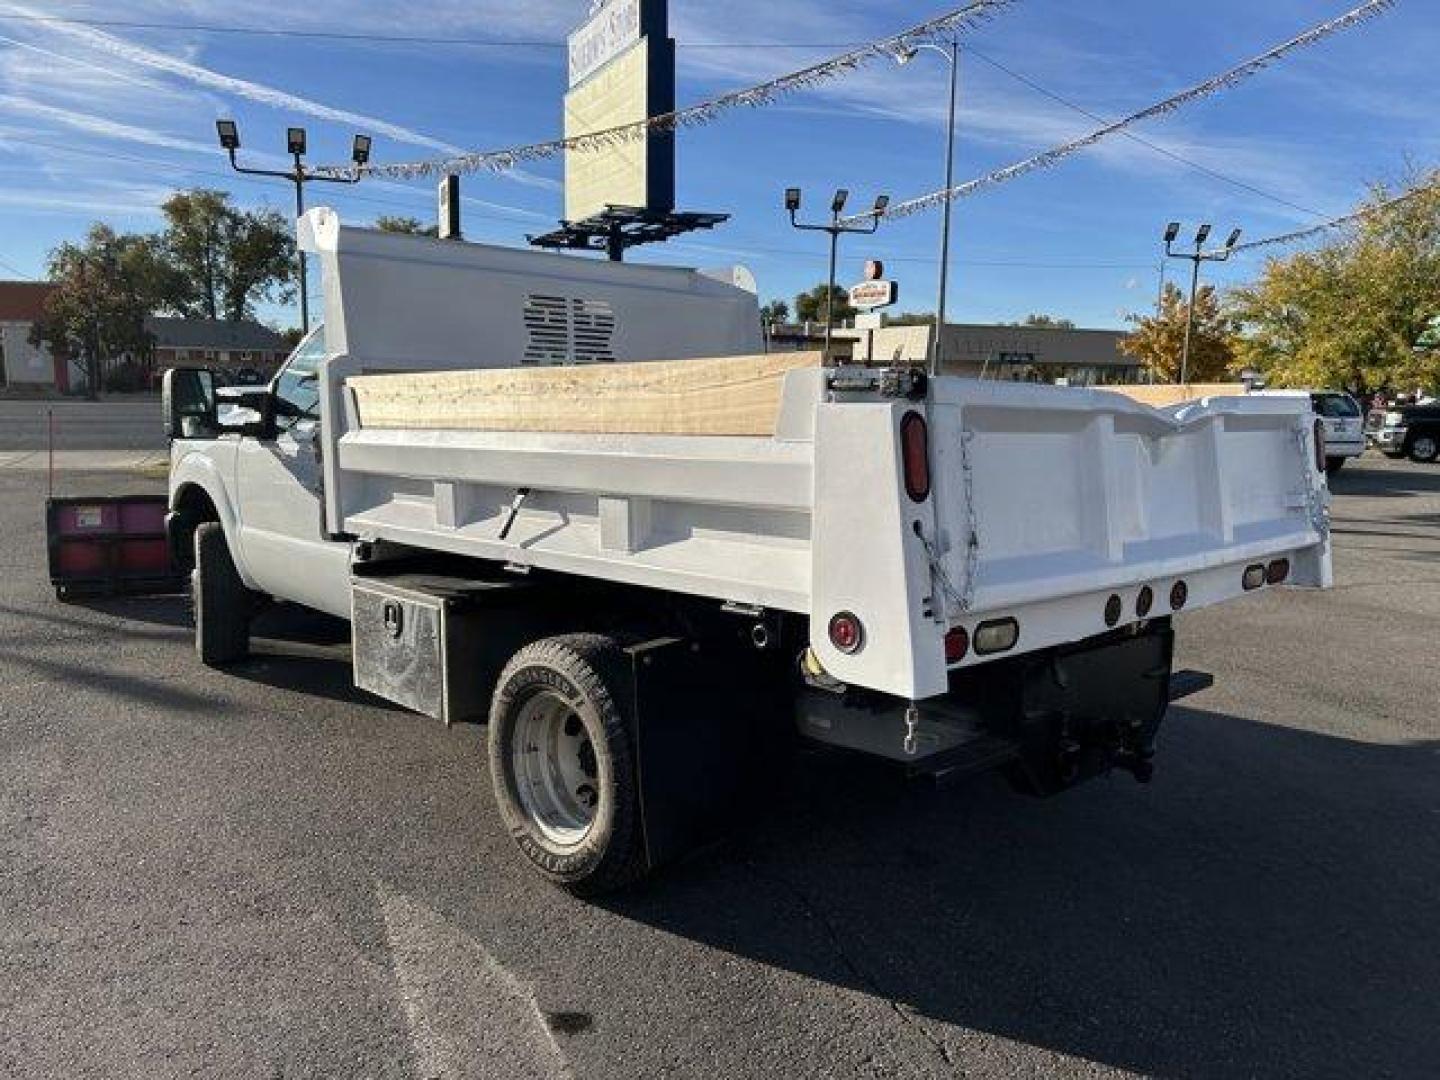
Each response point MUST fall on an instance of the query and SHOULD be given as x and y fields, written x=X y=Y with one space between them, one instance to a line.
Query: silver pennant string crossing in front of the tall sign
x=942 y=28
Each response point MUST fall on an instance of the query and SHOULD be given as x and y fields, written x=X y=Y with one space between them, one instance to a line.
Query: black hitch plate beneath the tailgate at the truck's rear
x=1081 y=712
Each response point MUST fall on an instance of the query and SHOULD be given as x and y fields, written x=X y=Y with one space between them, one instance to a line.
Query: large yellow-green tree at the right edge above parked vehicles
x=1354 y=313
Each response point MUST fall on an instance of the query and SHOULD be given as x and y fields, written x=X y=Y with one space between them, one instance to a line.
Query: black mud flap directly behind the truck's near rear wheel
x=703 y=734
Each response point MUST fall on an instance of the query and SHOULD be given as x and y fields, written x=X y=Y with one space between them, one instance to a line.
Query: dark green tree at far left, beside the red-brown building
x=104 y=290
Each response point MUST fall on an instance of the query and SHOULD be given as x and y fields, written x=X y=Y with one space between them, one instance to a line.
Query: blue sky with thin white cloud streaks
x=102 y=123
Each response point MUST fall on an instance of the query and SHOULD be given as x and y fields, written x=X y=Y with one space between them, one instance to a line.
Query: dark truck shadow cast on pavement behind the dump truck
x=1268 y=906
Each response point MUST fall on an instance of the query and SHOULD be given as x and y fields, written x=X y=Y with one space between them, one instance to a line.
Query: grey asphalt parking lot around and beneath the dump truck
x=266 y=873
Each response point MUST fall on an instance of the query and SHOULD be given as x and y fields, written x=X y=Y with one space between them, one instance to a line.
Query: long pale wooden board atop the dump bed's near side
x=737 y=395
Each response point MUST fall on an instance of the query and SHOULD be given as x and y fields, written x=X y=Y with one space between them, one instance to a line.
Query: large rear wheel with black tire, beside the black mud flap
x=562 y=762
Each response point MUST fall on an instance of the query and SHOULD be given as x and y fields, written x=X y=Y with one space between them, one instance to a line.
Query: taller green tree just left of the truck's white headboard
x=224 y=260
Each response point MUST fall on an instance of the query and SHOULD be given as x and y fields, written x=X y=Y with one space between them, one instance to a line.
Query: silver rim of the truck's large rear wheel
x=557 y=770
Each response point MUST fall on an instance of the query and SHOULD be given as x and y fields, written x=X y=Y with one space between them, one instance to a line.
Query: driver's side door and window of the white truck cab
x=280 y=505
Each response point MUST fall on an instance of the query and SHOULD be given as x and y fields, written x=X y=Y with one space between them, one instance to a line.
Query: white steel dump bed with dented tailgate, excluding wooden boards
x=1045 y=502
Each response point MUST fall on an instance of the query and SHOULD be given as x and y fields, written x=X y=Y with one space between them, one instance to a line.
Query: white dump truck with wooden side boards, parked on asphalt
x=642 y=570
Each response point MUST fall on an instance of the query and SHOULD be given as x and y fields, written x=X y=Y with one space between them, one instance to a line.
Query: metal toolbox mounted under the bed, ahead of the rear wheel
x=420 y=642
